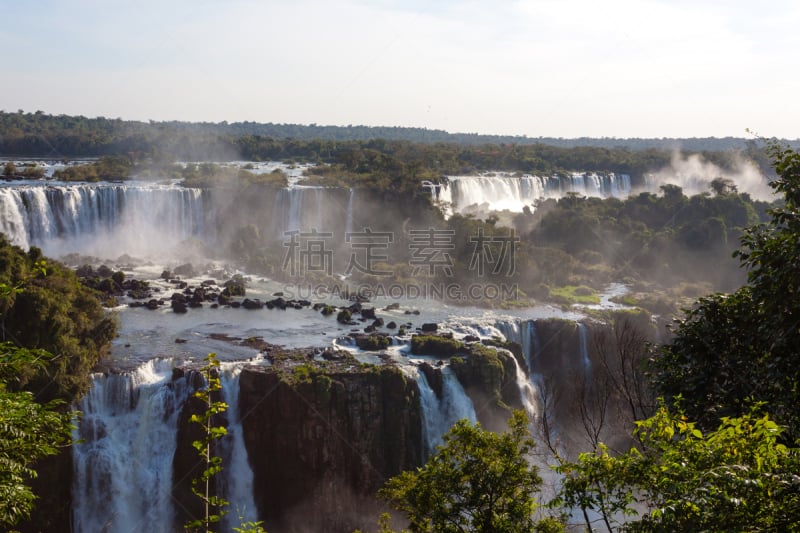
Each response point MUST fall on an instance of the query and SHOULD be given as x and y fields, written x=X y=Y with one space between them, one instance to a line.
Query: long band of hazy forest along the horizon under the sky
x=63 y=137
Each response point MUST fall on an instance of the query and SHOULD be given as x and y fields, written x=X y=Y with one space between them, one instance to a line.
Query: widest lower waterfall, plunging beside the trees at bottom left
x=123 y=466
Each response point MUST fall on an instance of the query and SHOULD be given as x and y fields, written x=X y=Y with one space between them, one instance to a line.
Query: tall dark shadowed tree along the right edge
x=732 y=350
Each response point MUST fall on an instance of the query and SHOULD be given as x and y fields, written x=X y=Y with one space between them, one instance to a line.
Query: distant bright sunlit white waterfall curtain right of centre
x=500 y=191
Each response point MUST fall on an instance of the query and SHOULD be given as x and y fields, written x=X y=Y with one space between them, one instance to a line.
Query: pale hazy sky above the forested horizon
x=560 y=68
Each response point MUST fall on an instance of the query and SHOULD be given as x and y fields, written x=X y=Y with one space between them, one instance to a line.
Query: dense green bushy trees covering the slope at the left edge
x=32 y=428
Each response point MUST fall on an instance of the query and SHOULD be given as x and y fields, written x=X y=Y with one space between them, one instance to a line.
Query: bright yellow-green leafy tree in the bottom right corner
x=738 y=477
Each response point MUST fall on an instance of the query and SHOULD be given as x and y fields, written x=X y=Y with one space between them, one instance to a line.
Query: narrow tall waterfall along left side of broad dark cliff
x=237 y=475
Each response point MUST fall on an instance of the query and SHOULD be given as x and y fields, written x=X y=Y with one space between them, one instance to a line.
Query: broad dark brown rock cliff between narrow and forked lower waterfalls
x=320 y=448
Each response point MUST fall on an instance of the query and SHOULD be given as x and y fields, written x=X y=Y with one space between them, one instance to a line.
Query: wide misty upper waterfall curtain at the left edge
x=134 y=218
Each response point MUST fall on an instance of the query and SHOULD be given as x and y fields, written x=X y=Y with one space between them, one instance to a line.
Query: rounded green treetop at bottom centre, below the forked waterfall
x=476 y=481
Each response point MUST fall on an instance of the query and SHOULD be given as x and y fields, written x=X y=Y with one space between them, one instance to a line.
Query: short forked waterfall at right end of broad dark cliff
x=439 y=416
